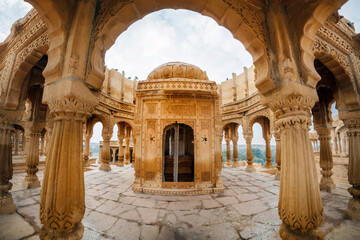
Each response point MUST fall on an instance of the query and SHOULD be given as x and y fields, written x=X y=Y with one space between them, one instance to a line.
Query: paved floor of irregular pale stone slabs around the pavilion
x=246 y=210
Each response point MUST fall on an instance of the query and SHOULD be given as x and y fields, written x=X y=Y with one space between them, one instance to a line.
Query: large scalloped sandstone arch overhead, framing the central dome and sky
x=246 y=21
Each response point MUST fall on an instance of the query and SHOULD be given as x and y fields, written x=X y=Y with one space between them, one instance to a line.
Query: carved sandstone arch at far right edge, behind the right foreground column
x=338 y=64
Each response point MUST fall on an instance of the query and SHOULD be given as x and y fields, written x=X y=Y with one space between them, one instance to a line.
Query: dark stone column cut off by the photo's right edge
x=353 y=125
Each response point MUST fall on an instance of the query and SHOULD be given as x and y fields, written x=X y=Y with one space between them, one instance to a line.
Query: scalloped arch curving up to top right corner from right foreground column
x=316 y=18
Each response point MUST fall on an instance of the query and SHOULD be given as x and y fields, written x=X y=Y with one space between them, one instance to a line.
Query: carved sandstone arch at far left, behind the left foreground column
x=25 y=61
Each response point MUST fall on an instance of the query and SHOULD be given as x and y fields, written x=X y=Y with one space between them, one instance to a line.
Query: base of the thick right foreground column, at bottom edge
x=286 y=233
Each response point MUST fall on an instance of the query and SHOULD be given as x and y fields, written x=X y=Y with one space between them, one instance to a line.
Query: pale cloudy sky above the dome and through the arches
x=171 y=35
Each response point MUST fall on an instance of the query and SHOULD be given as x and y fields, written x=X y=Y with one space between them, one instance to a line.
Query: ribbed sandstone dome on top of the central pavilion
x=177 y=70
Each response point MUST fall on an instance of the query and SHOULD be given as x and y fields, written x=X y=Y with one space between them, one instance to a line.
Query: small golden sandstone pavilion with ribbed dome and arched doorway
x=178 y=132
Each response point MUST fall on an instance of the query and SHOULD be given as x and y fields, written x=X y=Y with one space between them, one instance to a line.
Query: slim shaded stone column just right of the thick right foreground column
x=326 y=160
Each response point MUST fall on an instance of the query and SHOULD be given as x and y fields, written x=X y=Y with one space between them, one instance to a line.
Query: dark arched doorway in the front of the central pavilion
x=178 y=153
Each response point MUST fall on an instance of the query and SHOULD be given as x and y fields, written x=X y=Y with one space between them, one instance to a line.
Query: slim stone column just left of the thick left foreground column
x=32 y=156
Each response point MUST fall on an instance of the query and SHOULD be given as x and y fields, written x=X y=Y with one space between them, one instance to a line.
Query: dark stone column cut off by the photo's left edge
x=6 y=171
